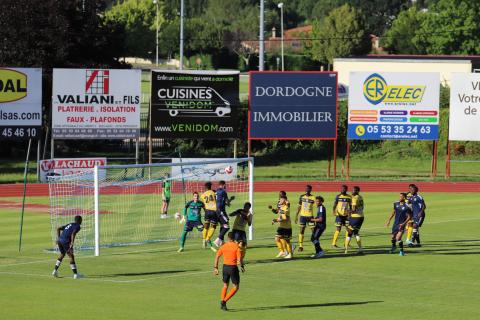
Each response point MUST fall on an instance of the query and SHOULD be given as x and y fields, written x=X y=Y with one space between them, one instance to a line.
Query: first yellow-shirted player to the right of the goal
x=284 y=230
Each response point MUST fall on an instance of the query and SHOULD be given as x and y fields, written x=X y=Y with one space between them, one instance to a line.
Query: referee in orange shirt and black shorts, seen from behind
x=231 y=259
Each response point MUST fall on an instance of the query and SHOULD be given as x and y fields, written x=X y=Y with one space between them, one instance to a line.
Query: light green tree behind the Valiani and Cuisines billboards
x=138 y=18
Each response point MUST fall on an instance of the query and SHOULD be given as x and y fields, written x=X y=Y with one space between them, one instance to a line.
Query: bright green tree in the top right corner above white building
x=450 y=27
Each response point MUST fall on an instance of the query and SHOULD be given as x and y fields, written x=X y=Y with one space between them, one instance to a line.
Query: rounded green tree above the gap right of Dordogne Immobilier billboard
x=340 y=34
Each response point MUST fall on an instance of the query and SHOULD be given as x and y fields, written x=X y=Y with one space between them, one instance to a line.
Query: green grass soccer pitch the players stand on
x=438 y=281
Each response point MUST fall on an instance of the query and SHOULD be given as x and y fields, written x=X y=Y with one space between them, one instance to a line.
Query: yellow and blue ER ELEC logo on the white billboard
x=376 y=90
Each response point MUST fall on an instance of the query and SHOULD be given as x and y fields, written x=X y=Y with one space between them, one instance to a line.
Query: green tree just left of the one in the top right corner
x=400 y=37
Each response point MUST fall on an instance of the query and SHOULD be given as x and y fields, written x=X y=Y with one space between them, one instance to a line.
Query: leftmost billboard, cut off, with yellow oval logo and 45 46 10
x=20 y=103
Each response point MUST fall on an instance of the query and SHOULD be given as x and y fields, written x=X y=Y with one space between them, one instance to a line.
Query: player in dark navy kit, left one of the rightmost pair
x=402 y=214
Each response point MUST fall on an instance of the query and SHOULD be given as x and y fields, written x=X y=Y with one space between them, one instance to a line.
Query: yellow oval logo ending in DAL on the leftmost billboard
x=13 y=85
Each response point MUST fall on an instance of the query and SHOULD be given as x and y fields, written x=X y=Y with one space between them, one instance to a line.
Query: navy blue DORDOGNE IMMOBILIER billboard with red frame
x=293 y=105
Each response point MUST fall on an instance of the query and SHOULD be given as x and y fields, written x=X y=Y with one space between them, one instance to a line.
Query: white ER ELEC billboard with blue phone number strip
x=393 y=106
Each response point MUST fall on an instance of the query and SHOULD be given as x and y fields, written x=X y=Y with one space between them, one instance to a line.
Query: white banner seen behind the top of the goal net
x=205 y=172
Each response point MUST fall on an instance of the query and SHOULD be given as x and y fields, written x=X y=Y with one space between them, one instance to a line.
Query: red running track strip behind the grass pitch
x=16 y=190
